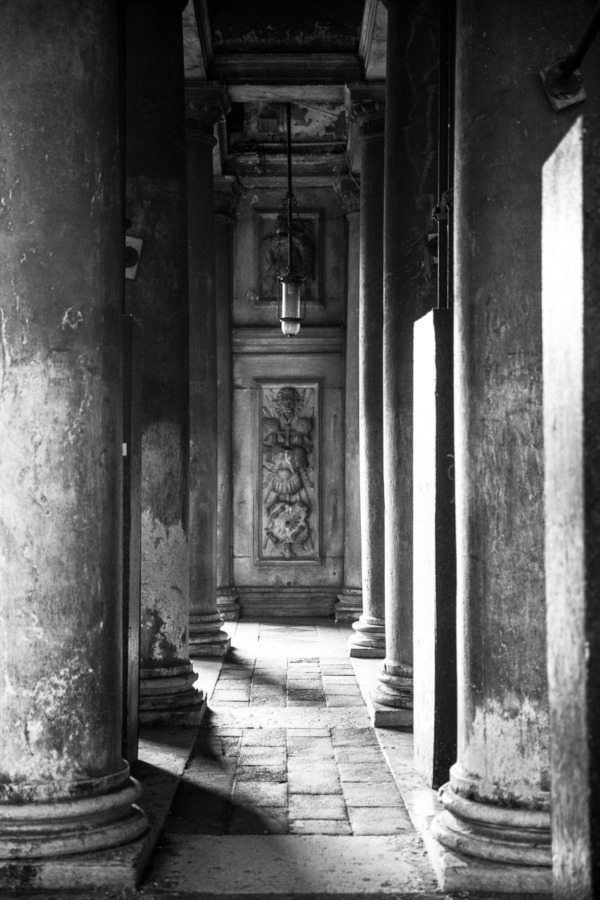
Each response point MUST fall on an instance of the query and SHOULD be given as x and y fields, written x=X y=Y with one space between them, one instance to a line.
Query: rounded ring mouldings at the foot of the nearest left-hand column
x=77 y=824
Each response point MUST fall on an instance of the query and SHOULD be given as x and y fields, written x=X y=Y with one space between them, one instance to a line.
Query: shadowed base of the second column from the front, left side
x=167 y=695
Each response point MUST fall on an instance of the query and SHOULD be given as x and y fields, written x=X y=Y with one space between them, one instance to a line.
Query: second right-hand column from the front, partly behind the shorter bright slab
x=409 y=291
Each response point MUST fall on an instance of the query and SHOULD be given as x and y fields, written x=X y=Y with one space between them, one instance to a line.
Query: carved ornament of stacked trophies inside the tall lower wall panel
x=288 y=474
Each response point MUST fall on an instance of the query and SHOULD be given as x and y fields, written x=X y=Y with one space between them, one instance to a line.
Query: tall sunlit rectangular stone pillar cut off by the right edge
x=572 y=499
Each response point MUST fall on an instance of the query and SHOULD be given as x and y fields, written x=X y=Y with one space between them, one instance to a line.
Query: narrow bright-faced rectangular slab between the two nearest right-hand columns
x=434 y=549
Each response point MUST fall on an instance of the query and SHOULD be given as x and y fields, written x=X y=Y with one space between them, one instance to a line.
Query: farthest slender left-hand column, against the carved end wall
x=227 y=599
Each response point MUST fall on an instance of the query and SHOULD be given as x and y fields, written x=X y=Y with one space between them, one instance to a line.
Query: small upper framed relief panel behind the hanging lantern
x=272 y=251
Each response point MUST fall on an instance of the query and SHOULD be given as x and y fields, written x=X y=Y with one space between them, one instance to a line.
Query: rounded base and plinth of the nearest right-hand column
x=478 y=846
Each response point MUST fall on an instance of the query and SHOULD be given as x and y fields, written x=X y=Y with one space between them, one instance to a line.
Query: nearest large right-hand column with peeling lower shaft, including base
x=496 y=826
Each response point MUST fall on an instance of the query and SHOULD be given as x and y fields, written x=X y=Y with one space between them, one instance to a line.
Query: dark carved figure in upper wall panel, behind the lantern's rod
x=274 y=253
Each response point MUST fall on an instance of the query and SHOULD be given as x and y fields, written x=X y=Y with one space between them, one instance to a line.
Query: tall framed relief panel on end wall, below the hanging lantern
x=288 y=471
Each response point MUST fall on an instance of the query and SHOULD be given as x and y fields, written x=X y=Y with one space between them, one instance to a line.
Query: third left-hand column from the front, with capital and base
x=204 y=105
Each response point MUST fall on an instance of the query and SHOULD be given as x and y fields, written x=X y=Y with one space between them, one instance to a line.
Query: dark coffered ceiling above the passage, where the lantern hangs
x=313 y=54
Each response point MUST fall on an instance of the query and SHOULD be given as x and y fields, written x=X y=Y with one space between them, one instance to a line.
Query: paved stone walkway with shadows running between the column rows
x=287 y=791
